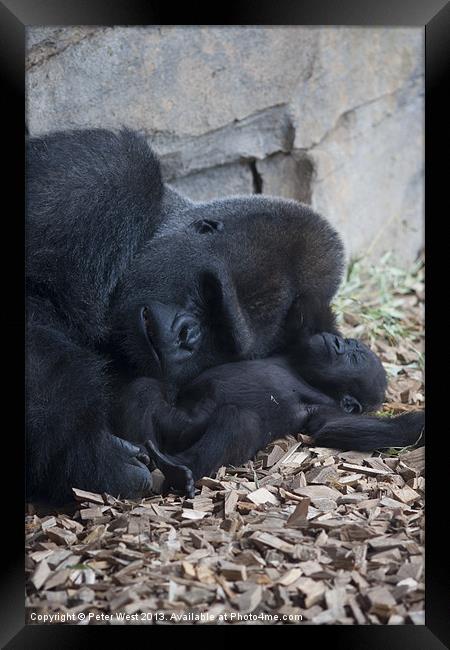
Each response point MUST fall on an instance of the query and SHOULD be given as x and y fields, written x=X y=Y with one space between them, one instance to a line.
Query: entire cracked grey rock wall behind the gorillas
x=329 y=116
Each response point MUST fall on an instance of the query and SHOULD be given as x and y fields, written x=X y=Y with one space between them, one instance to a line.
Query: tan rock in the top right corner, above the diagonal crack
x=352 y=67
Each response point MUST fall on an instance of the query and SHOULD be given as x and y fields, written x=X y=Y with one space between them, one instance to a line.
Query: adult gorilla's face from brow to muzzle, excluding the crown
x=189 y=316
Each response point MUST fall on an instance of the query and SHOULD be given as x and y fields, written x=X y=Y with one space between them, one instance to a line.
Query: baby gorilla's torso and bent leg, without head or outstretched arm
x=236 y=415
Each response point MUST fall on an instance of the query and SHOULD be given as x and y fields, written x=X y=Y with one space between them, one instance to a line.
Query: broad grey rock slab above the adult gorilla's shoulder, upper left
x=178 y=80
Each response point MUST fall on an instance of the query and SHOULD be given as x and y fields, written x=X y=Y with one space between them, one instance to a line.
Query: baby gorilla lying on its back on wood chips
x=230 y=412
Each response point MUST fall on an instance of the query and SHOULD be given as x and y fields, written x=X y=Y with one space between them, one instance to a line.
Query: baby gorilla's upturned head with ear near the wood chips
x=346 y=369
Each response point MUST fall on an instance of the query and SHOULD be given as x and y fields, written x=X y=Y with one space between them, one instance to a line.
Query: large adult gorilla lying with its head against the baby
x=126 y=278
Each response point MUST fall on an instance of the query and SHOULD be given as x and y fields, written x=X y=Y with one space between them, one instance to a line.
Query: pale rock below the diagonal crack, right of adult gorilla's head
x=368 y=177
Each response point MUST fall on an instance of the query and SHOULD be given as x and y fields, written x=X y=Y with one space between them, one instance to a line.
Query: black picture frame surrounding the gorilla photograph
x=15 y=16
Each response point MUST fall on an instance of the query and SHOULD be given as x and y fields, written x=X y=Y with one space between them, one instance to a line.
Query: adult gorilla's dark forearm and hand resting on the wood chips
x=68 y=442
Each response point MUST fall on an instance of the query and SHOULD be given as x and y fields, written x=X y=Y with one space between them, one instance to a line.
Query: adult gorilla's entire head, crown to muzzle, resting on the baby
x=219 y=290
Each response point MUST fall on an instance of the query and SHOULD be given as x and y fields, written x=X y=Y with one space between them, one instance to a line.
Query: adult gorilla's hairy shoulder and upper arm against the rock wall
x=94 y=198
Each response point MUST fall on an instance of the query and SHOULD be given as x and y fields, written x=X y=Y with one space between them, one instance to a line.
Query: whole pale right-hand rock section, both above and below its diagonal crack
x=360 y=117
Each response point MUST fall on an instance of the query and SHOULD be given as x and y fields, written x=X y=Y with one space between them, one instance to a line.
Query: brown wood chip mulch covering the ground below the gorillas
x=331 y=537
